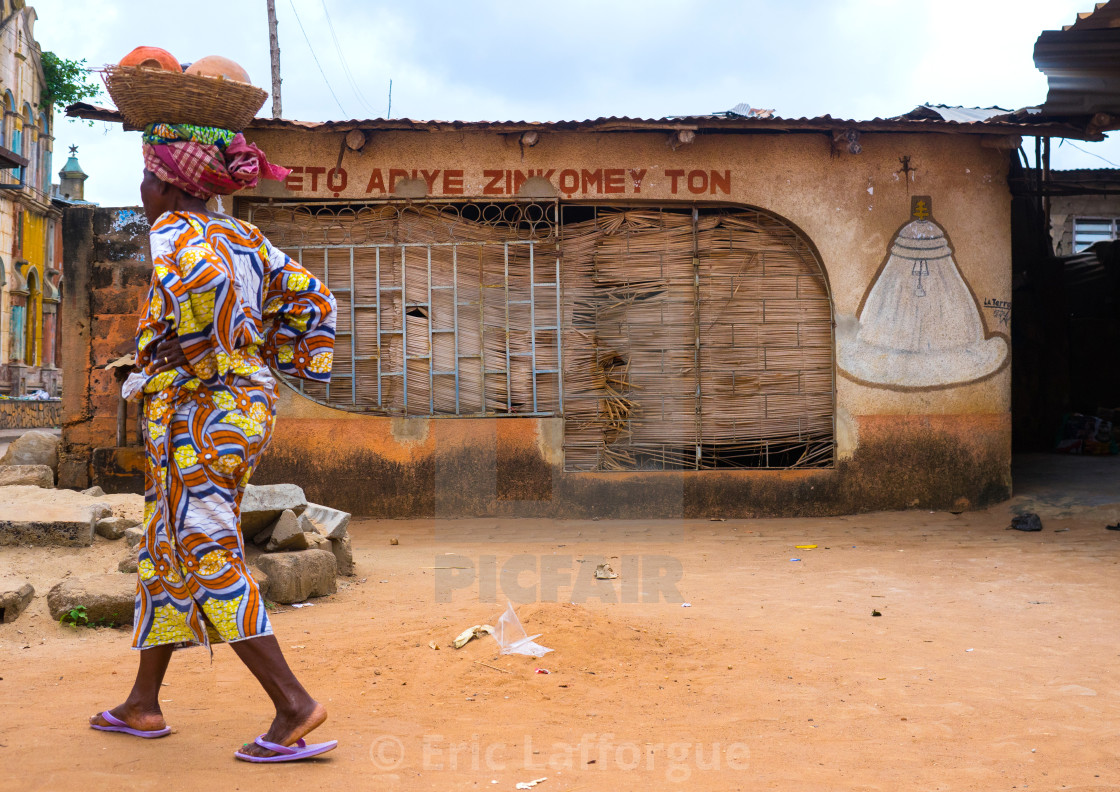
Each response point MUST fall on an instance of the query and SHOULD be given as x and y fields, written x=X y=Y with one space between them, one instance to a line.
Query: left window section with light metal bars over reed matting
x=444 y=309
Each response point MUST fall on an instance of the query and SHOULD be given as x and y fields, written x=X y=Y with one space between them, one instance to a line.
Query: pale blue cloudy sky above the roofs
x=499 y=60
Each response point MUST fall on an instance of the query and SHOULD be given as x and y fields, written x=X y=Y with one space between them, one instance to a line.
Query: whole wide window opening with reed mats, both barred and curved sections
x=669 y=338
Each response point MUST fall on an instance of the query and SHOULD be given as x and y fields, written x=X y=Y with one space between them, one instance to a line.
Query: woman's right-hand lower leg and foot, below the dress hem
x=297 y=713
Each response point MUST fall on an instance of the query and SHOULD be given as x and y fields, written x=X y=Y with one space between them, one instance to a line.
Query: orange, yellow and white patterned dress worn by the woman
x=238 y=306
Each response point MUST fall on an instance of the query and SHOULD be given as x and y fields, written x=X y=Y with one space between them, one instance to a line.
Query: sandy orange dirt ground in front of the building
x=993 y=666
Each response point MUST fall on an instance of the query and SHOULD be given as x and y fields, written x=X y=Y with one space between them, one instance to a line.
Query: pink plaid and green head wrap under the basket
x=206 y=161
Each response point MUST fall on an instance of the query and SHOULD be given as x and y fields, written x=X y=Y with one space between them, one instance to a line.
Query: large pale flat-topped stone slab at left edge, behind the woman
x=33 y=516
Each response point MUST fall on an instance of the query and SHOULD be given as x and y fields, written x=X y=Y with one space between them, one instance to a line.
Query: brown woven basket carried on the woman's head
x=146 y=97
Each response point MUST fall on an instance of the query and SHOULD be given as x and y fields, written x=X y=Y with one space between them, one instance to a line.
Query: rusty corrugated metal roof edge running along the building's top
x=1020 y=124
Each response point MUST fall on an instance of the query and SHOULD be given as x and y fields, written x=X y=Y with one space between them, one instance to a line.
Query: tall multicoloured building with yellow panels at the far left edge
x=31 y=257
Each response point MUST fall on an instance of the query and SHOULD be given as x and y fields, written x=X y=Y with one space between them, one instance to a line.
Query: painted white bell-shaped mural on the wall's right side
x=920 y=325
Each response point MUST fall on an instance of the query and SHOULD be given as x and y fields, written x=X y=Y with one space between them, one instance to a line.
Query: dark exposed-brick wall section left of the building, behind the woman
x=107 y=272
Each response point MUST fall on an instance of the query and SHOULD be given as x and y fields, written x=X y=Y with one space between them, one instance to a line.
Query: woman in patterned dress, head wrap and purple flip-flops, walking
x=225 y=306
